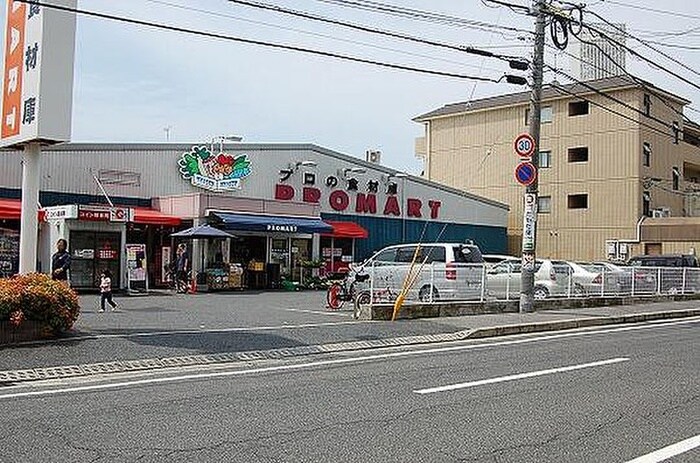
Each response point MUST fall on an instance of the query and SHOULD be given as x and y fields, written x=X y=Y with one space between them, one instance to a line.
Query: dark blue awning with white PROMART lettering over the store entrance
x=272 y=223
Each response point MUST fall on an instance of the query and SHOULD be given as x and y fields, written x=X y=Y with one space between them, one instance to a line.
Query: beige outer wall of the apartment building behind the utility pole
x=474 y=152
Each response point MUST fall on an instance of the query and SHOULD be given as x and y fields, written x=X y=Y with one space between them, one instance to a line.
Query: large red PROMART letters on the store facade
x=361 y=203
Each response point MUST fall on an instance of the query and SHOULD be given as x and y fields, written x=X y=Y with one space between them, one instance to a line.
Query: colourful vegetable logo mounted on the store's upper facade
x=221 y=172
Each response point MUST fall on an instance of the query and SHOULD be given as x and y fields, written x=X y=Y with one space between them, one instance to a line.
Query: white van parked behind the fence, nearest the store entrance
x=451 y=270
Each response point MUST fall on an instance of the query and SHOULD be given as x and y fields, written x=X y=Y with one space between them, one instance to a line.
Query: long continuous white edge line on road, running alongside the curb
x=342 y=361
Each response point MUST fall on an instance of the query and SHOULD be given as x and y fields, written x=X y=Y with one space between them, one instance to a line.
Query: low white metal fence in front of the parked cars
x=438 y=282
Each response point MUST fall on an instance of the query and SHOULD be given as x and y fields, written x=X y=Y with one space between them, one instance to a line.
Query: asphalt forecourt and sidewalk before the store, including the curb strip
x=216 y=328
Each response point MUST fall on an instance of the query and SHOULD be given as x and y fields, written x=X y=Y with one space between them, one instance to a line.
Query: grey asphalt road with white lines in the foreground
x=606 y=395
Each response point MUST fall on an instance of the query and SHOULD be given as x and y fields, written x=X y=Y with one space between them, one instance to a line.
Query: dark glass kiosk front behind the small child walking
x=92 y=253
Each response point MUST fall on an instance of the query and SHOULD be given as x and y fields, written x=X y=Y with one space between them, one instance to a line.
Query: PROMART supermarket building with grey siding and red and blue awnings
x=290 y=207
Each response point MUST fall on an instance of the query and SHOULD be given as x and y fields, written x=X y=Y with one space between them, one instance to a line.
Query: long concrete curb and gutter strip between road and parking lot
x=93 y=369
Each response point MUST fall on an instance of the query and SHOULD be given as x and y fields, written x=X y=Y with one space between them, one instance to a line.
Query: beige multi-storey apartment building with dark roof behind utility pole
x=619 y=166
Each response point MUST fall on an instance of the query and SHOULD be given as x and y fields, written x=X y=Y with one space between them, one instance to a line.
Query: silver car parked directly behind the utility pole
x=503 y=280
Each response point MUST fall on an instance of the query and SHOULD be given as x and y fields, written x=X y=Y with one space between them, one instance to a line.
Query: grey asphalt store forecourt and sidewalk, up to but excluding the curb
x=173 y=326
